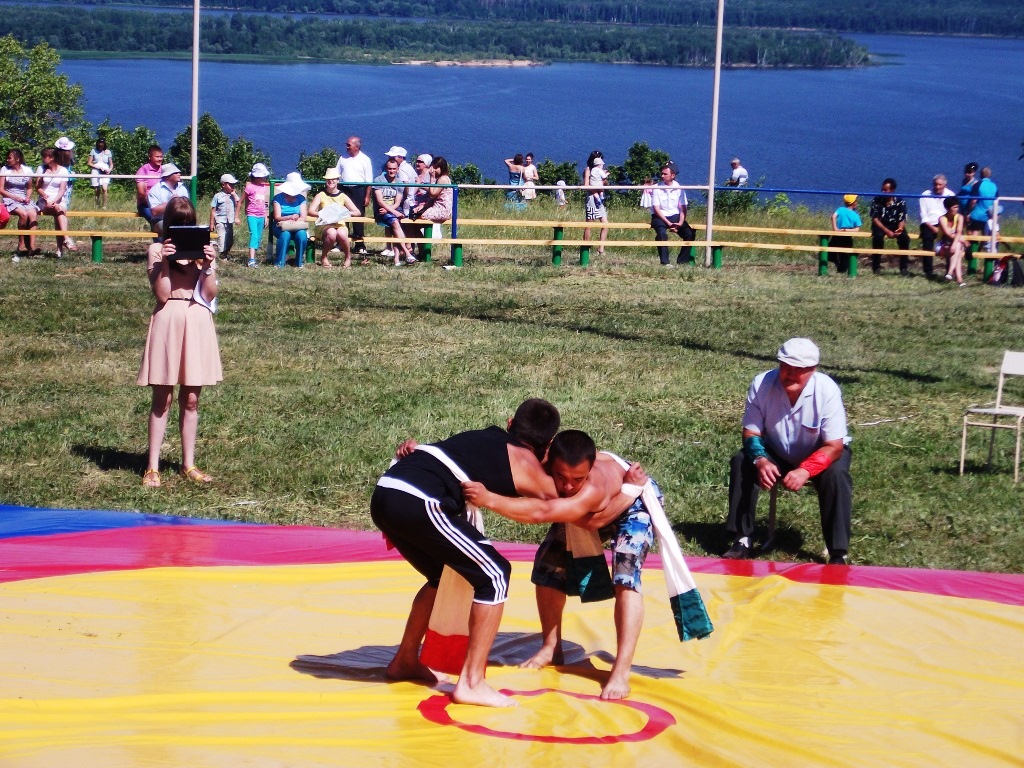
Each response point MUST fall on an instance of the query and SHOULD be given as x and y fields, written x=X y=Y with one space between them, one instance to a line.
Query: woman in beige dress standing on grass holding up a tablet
x=182 y=347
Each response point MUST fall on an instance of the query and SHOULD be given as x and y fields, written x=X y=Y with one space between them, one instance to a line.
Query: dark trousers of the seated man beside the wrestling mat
x=835 y=488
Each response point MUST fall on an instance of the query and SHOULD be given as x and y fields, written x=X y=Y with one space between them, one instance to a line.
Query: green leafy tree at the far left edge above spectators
x=37 y=104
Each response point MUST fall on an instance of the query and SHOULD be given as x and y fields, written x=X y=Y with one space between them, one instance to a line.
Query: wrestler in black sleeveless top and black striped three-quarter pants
x=419 y=506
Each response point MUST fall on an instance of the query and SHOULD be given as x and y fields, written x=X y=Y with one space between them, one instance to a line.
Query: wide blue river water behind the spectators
x=937 y=104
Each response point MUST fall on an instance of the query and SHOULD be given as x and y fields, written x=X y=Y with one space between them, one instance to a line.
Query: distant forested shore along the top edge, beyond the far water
x=1001 y=18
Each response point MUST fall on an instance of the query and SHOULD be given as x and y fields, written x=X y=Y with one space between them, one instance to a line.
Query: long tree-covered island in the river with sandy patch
x=134 y=33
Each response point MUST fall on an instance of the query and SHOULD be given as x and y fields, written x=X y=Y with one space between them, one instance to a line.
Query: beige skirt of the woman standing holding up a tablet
x=182 y=348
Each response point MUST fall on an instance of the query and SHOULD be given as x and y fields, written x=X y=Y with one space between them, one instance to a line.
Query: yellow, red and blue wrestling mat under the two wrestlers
x=137 y=641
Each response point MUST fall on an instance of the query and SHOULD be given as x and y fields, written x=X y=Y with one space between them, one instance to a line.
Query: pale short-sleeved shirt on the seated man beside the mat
x=795 y=432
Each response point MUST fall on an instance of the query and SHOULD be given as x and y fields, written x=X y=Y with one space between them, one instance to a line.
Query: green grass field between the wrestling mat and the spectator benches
x=327 y=371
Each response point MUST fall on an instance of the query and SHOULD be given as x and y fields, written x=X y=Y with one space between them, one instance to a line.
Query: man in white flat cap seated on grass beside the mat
x=794 y=432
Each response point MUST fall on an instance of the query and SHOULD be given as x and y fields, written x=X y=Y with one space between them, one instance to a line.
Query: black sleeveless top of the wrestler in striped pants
x=483 y=455
